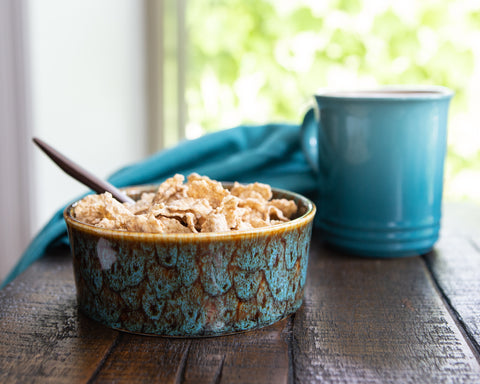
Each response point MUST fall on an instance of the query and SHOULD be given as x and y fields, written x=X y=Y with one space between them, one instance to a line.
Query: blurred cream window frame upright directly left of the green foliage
x=166 y=40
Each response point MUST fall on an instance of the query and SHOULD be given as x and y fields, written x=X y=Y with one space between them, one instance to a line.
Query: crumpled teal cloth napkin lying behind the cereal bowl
x=268 y=153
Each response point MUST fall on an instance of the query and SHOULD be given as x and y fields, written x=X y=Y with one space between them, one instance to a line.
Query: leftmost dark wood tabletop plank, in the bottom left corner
x=43 y=338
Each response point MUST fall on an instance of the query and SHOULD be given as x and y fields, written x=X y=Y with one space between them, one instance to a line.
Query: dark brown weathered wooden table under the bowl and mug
x=411 y=320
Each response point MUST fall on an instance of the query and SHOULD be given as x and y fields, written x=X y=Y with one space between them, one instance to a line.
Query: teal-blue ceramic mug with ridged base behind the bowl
x=378 y=156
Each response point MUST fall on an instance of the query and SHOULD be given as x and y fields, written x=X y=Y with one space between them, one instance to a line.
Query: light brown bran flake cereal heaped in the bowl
x=198 y=205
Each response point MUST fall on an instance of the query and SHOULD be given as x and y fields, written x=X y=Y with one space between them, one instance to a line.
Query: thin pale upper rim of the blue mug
x=392 y=92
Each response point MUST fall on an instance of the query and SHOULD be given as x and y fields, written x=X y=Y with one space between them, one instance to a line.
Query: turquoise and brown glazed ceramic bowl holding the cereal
x=190 y=285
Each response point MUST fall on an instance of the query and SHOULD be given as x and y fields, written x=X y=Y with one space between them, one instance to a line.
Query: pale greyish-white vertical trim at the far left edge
x=15 y=163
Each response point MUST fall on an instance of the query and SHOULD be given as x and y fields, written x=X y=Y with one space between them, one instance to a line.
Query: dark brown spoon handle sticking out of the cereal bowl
x=80 y=174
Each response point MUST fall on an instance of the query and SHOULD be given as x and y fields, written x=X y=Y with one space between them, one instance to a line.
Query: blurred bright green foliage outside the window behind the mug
x=252 y=61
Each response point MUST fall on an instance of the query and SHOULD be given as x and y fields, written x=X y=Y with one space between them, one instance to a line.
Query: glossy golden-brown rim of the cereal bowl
x=281 y=227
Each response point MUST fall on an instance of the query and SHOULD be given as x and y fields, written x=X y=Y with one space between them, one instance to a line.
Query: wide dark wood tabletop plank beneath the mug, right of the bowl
x=376 y=321
